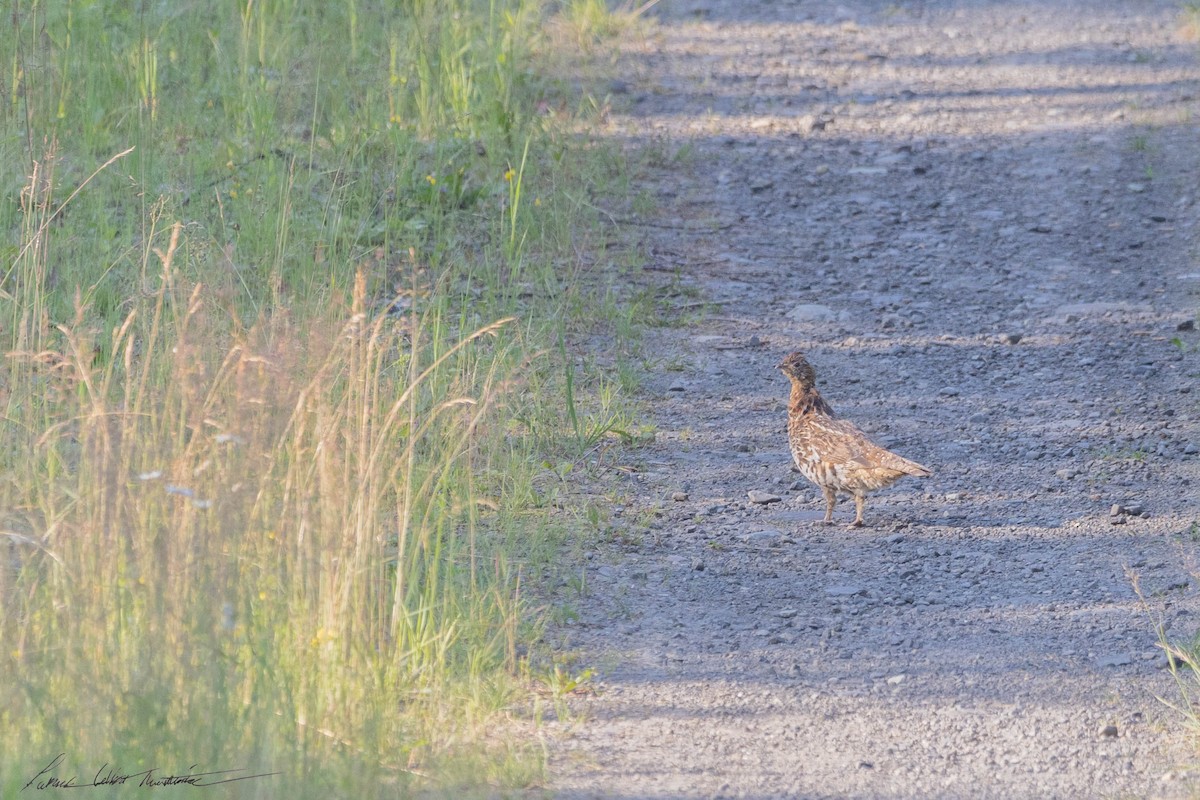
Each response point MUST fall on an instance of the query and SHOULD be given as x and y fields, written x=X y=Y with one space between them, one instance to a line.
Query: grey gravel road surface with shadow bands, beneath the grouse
x=980 y=222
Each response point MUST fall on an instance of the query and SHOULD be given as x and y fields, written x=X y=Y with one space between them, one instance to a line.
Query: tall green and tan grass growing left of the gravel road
x=285 y=306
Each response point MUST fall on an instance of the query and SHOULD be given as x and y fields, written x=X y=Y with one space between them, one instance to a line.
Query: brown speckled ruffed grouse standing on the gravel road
x=831 y=453
